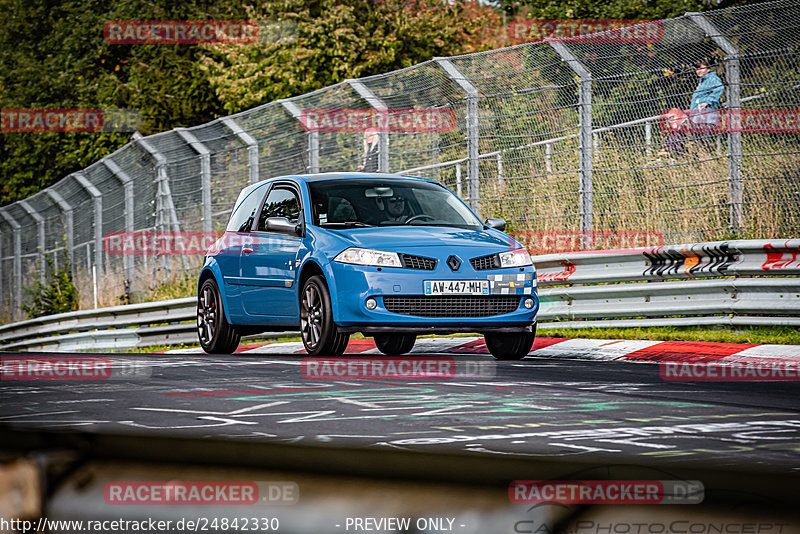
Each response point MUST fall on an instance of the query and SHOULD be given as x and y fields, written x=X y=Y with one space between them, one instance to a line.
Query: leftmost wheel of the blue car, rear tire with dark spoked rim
x=216 y=335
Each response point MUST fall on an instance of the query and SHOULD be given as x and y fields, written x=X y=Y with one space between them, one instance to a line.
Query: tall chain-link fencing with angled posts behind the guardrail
x=595 y=137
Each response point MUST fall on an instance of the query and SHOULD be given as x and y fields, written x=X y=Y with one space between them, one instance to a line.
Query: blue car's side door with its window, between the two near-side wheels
x=268 y=267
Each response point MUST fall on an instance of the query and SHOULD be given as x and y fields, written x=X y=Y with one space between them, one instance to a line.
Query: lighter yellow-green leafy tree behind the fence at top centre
x=333 y=40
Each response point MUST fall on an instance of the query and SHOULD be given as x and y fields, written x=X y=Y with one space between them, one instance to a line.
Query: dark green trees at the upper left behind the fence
x=53 y=55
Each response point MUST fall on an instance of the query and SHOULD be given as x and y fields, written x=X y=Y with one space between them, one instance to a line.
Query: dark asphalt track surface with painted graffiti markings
x=611 y=411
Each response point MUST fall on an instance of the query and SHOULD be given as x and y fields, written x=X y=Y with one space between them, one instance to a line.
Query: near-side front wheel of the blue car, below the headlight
x=319 y=332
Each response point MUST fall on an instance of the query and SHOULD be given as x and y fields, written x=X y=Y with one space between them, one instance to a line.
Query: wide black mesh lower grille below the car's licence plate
x=452 y=306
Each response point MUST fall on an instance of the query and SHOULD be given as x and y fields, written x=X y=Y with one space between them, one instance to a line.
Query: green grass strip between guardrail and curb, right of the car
x=774 y=334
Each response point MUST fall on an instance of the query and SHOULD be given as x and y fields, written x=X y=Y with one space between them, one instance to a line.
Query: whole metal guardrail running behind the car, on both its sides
x=734 y=283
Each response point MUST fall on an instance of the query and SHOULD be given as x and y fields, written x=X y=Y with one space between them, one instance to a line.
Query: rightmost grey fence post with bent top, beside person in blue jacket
x=734 y=98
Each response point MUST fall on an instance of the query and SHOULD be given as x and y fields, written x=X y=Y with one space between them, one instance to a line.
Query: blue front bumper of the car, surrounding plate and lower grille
x=354 y=284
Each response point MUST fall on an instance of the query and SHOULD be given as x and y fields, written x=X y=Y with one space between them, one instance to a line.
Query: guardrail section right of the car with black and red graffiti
x=673 y=285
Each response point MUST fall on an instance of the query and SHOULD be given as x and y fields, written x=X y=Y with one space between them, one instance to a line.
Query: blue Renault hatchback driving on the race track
x=390 y=256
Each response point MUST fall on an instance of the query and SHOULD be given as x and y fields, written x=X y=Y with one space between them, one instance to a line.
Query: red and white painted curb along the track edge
x=563 y=348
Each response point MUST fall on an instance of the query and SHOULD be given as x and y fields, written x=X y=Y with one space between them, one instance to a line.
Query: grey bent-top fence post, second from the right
x=585 y=140
